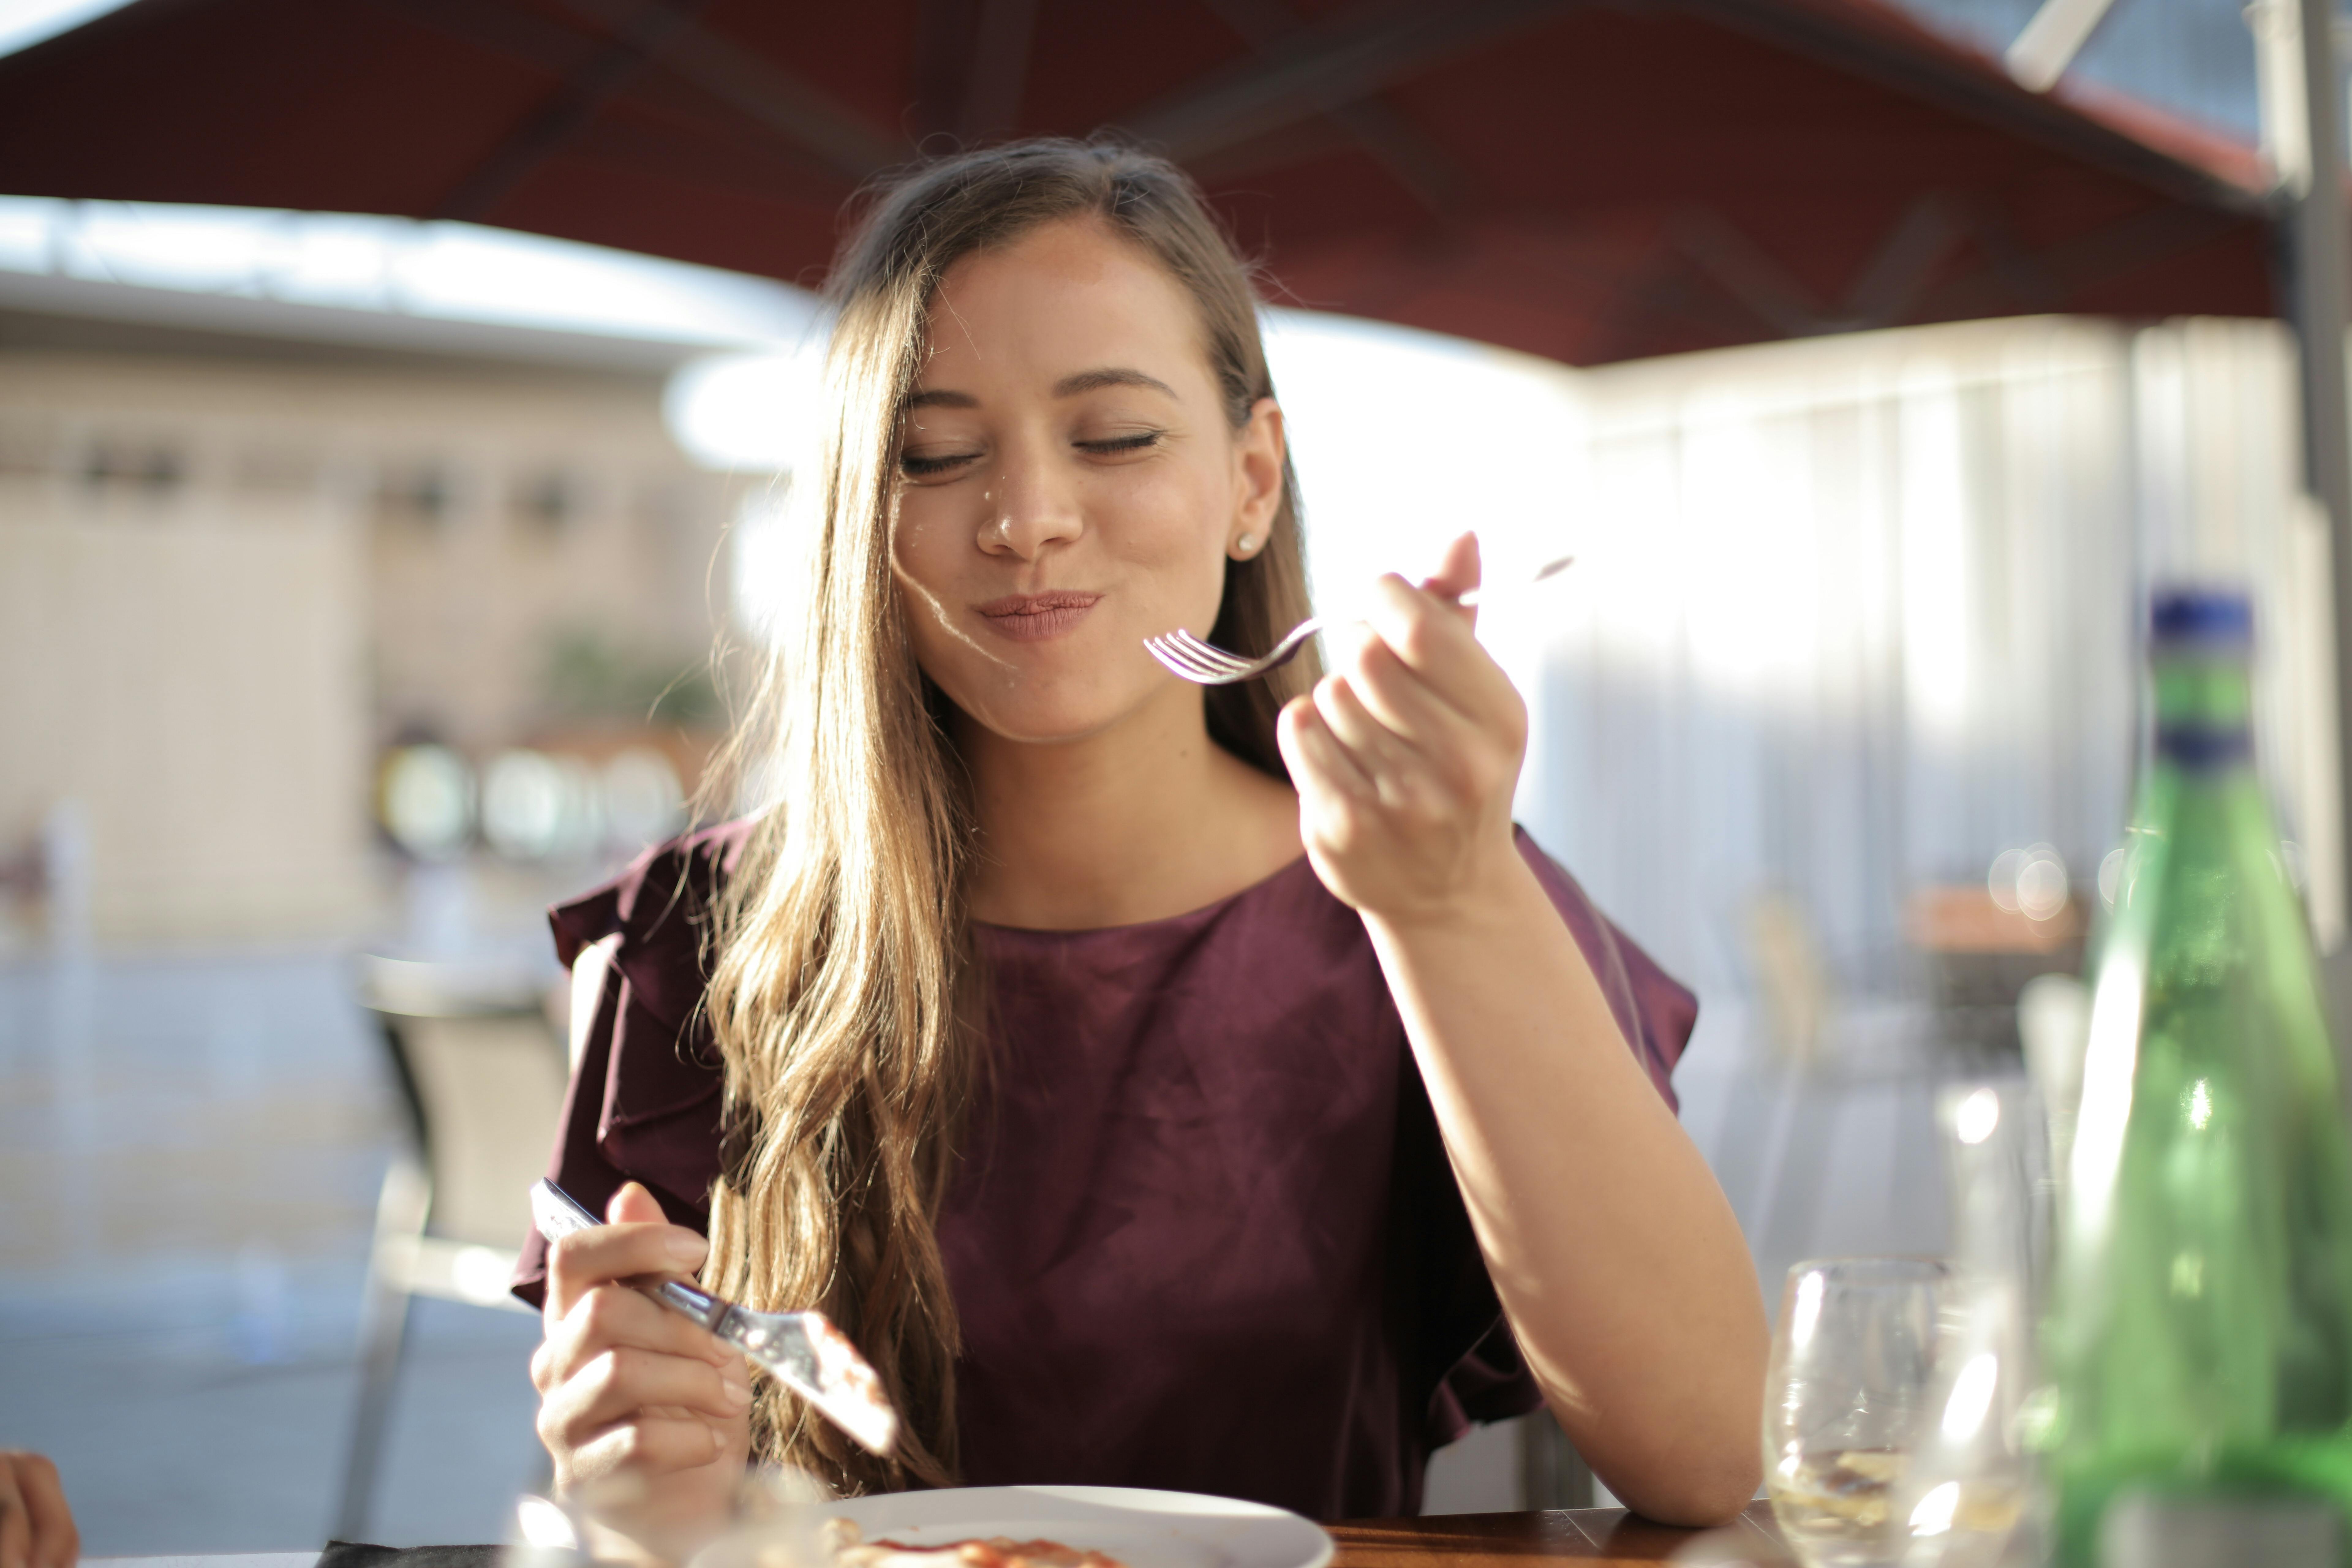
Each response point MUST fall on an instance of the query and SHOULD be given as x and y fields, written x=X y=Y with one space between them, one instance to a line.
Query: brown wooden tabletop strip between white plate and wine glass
x=1586 y=1536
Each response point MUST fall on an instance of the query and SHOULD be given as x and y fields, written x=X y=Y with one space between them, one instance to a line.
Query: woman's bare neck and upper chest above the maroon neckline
x=1137 y=822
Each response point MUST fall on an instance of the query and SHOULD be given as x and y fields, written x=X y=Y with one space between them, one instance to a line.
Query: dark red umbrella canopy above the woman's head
x=1586 y=182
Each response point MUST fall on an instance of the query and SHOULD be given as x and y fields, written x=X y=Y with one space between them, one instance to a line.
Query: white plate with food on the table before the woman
x=1137 y=1527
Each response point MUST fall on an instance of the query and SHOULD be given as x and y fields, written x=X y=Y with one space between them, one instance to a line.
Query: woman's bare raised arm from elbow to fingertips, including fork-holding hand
x=1603 y=1228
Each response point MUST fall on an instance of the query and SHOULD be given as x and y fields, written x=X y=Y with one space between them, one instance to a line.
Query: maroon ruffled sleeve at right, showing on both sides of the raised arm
x=1466 y=1346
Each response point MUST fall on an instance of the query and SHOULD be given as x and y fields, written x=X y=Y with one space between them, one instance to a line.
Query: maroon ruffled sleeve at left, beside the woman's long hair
x=646 y=1097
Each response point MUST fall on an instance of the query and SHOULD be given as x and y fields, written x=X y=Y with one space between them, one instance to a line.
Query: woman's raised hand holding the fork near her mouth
x=1408 y=756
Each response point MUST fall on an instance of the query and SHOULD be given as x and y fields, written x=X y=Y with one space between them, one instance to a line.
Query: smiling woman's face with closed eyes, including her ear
x=1069 y=483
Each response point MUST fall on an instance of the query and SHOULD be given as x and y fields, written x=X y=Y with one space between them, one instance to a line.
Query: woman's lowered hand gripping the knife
x=646 y=1416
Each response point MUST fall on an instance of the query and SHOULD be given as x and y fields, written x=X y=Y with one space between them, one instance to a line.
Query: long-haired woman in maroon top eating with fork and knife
x=1165 y=1087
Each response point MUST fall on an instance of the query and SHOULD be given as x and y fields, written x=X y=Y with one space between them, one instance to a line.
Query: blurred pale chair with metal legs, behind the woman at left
x=481 y=1076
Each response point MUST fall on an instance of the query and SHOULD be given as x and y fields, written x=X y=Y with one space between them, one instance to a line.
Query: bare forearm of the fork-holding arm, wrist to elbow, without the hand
x=1610 y=1245
